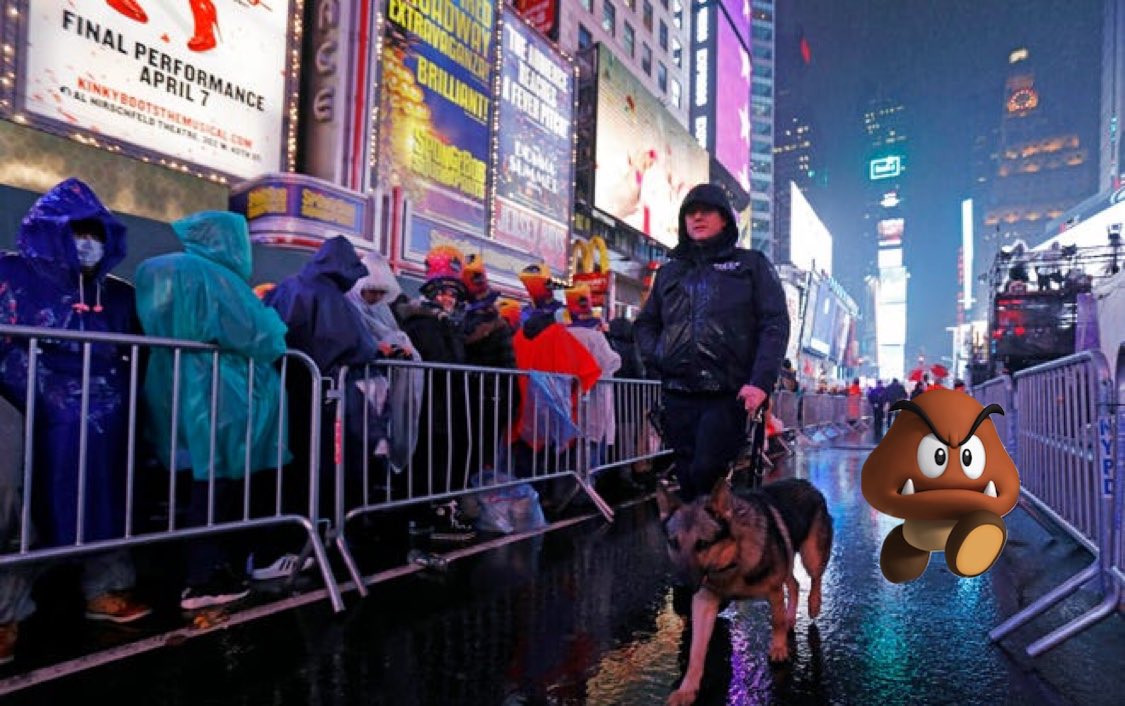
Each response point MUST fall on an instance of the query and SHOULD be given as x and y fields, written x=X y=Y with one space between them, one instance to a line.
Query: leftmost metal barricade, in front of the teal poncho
x=82 y=346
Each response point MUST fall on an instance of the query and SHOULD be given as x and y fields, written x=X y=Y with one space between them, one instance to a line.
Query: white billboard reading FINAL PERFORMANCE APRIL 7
x=165 y=83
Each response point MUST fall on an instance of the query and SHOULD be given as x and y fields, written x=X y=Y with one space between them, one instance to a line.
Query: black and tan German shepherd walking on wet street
x=741 y=547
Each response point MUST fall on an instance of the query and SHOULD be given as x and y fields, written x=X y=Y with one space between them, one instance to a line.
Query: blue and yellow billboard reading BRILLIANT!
x=436 y=108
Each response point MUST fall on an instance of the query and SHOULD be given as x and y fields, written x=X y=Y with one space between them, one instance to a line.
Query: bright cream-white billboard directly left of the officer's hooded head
x=645 y=161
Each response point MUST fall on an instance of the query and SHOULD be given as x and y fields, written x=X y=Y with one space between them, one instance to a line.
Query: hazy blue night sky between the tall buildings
x=947 y=62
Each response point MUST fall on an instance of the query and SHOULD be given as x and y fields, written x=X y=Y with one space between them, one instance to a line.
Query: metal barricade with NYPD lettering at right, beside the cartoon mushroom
x=1066 y=456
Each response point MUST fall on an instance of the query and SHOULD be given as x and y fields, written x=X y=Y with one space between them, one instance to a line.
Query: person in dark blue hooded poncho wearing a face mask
x=60 y=278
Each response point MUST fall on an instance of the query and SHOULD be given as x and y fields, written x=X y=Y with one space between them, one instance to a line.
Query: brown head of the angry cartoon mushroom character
x=951 y=495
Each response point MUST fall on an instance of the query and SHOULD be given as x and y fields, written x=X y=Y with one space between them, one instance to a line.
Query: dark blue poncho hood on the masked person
x=46 y=234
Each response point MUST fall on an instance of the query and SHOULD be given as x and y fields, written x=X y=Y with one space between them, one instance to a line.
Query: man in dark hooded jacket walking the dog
x=715 y=329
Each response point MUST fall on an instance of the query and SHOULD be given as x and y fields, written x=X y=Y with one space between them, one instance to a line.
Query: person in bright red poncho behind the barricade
x=546 y=346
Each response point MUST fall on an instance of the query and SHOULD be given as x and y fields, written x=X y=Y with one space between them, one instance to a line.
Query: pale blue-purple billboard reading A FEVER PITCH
x=535 y=161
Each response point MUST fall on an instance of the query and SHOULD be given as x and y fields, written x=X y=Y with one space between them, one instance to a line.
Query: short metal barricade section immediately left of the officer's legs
x=619 y=429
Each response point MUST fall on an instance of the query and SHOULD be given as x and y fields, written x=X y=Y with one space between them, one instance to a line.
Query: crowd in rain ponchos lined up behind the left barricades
x=215 y=420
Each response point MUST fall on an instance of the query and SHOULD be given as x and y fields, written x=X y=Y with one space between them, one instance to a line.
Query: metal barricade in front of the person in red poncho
x=464 y=419
